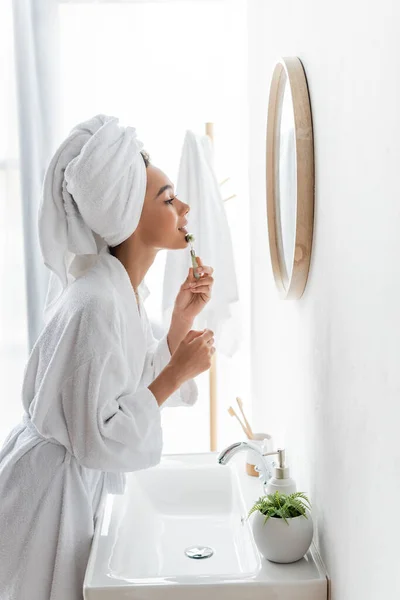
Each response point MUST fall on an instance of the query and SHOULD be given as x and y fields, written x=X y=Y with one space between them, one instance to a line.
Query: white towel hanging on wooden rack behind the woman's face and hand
x=197 y=185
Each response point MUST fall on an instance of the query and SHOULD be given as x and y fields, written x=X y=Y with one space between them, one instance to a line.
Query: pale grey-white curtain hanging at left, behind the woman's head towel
x=36 y=58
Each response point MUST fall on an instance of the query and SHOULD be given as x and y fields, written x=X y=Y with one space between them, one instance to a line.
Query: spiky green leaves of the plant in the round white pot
x=282 y=506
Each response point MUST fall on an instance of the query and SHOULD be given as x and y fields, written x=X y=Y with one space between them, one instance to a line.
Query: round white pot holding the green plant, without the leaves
x=283 y=542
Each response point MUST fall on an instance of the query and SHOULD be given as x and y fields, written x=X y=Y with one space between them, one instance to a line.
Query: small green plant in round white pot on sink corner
x=282 y=527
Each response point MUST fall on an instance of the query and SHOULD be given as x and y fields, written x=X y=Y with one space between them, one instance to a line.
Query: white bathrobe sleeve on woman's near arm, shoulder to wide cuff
x=89 y=394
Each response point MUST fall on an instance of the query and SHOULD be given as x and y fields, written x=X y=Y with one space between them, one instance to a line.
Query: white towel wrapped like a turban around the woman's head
x=93 y=195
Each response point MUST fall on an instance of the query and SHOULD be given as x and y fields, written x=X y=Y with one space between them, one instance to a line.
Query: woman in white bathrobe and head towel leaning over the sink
x=96 y=377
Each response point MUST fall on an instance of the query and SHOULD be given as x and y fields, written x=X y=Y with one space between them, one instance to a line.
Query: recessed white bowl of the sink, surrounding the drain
x=177 y=505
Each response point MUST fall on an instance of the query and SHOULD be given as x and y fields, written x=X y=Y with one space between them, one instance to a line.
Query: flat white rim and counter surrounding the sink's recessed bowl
x=303 y=580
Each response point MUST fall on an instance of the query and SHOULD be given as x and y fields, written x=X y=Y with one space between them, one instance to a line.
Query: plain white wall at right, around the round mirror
x=326 y=377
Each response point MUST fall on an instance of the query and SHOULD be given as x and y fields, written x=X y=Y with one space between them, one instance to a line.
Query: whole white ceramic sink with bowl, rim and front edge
x=180 y=531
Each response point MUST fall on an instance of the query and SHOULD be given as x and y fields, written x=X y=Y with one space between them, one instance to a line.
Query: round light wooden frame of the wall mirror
x=293 y=287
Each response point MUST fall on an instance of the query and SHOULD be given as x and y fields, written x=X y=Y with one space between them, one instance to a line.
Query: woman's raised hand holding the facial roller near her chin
x=194 y=293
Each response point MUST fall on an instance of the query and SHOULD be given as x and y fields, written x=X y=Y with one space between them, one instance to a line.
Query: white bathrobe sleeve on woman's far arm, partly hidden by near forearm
x=157 y=358
